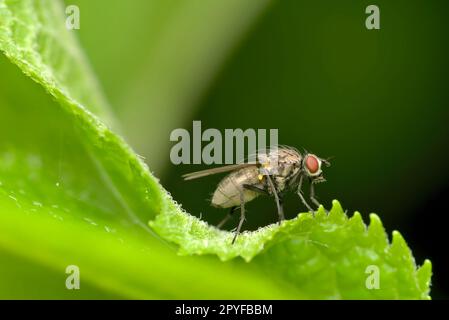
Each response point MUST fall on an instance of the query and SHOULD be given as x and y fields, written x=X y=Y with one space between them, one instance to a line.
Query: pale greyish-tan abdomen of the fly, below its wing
x=228 y=192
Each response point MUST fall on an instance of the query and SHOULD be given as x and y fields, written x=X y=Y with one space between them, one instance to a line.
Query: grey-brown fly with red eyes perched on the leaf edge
x=273 y=174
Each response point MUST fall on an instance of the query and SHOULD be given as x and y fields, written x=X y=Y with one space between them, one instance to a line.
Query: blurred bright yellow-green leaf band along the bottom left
x=112 y=261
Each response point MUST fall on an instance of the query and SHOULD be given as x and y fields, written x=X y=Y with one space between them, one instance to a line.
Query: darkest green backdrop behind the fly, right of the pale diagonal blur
x=375 y=100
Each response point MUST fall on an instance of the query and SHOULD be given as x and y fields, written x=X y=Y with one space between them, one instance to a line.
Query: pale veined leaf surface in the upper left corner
x=33 y=35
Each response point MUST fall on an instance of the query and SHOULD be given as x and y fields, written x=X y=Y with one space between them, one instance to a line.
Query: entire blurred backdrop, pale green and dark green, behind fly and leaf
x=375 y=100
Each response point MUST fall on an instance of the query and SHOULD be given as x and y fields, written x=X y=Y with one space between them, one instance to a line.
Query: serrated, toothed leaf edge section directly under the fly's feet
x=326 y=256
